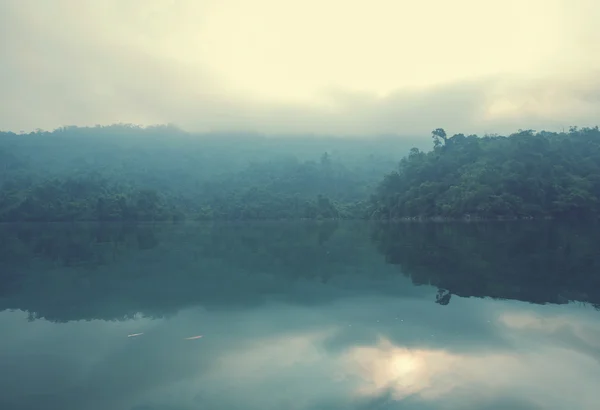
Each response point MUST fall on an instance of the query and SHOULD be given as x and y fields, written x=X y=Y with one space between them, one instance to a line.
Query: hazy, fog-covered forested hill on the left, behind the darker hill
x=126 y=172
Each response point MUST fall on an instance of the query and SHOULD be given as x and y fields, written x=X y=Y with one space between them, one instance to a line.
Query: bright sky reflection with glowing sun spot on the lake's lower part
x=261 y=359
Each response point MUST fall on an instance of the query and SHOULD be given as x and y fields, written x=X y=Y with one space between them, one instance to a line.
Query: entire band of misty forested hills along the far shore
x=131 y=173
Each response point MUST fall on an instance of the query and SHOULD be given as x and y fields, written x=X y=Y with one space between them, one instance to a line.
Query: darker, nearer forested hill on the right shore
x=527 y=174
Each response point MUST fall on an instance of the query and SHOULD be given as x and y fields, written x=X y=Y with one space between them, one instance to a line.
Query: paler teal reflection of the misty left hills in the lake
x=67 y=272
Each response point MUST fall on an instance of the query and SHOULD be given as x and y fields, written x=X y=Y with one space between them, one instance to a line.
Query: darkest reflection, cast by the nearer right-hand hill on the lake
x=538 y=262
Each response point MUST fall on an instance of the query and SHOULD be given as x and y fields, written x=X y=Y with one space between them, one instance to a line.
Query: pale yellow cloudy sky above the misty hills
x=311 y=66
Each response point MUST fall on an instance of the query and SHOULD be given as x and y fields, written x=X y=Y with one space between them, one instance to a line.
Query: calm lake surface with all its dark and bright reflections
x=300 y=316
